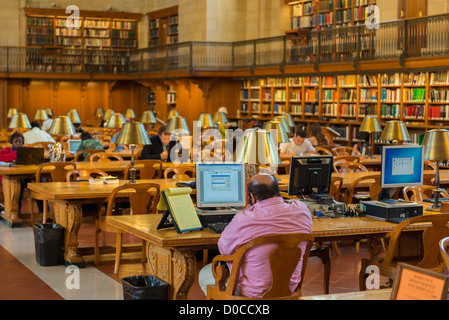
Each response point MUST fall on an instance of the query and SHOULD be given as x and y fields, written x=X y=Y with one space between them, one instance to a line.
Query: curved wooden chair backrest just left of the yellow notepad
x=144 y=199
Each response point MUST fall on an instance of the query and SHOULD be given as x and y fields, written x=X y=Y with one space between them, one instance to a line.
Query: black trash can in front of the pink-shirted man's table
x=144 y=287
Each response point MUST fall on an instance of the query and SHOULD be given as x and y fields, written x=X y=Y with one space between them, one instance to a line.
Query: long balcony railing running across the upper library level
x=422 y=37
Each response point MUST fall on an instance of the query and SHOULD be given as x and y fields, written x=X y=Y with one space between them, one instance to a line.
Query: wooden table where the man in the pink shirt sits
x=171 y=256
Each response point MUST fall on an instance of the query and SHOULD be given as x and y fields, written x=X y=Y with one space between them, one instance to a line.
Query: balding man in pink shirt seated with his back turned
x=266 y=214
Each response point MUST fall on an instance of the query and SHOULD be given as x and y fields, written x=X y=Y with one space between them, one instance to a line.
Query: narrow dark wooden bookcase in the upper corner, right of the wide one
x=163 y=26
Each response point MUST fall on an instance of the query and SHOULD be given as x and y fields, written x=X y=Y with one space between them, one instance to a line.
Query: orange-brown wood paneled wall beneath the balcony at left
x=193 y=97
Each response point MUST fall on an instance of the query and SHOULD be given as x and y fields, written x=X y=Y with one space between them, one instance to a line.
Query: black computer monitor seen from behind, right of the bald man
x=310 y=175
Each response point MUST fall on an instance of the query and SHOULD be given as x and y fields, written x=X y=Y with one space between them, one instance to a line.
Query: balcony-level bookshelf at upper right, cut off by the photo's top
x=326 y=14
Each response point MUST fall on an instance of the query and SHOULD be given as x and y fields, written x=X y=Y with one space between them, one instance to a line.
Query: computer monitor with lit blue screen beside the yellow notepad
x=220 y=185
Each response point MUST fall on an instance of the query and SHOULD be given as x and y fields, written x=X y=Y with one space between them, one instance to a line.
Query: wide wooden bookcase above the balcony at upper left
x=98 y=44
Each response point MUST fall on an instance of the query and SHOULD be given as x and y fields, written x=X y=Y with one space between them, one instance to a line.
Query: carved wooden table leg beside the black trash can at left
x=69 y=215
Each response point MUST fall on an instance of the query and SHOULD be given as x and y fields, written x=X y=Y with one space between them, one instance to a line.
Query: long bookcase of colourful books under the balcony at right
x=420 y=99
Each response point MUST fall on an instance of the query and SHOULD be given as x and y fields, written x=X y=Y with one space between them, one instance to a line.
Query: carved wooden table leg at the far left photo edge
x=11 y=192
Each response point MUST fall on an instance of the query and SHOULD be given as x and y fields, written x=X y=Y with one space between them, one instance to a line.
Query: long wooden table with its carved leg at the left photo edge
x=12 y=175
